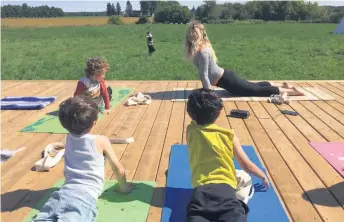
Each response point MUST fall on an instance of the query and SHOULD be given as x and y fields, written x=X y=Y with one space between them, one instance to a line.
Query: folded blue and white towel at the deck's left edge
x=25 y=103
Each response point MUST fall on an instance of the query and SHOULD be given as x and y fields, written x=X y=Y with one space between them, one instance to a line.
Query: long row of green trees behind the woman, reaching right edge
x=269 y=11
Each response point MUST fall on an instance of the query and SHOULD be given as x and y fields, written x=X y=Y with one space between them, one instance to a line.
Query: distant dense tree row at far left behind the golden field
x=25 y=11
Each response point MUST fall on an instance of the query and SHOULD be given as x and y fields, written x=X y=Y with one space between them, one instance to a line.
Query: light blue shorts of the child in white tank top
x=68 y=205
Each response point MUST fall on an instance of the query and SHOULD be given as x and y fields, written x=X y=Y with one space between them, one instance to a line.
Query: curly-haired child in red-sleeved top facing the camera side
x=93 y=85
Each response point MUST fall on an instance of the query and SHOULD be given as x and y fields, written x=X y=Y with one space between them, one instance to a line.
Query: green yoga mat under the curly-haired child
x=50 y=122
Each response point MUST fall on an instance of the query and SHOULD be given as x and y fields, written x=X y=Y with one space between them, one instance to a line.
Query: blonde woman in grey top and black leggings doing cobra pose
x=199 y=50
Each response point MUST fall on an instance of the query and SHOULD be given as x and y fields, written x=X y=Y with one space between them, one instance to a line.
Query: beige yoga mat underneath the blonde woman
x=311 y=94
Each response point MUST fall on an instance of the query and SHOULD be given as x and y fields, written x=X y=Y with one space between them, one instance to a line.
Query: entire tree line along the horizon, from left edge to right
x=208 y=12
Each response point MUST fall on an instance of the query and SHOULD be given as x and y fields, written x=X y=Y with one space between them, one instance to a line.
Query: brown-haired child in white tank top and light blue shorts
x=84 y=166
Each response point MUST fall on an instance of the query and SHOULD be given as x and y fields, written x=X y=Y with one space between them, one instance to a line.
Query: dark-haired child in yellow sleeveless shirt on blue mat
x=211 y=153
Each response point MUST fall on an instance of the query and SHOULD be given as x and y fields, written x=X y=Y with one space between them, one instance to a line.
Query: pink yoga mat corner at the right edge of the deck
x=333 y=153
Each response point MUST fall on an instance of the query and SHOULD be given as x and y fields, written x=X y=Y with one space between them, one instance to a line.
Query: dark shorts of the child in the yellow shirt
x=216 y=202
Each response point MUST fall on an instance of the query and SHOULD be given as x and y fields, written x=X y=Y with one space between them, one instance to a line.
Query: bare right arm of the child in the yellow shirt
x=246 y=163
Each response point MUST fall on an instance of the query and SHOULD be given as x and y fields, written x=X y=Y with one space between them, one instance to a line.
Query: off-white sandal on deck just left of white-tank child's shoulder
x=51 y=157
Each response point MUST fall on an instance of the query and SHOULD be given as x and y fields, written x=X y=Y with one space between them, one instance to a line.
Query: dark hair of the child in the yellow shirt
x=204 y=106
